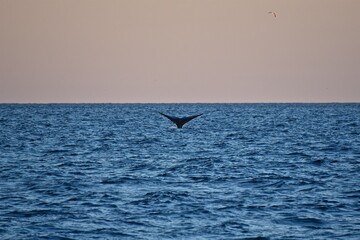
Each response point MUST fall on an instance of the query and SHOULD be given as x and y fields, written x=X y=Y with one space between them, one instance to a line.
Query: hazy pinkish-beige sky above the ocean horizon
x=169 y=51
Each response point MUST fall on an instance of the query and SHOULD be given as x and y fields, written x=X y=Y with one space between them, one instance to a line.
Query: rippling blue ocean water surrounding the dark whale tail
x=123 y=171
